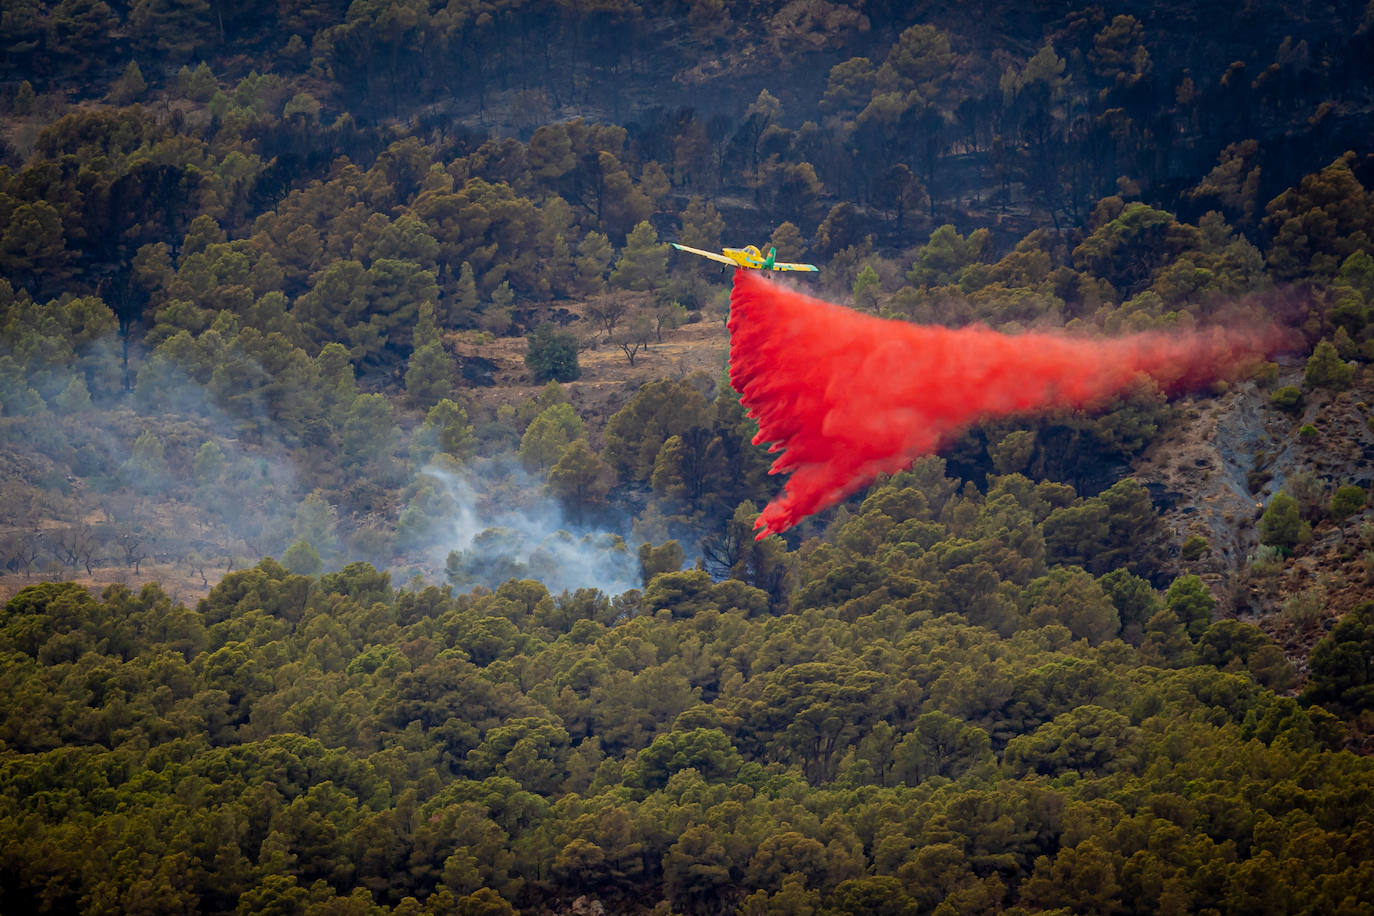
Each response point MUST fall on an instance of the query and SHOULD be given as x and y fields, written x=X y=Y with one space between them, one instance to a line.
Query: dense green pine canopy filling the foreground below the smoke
x=917 y=766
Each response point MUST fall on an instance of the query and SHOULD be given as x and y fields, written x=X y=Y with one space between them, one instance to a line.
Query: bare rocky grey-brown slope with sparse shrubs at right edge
x=1214 y=473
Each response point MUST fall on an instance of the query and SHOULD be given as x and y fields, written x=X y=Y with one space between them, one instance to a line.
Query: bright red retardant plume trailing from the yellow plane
x=846 y=398
